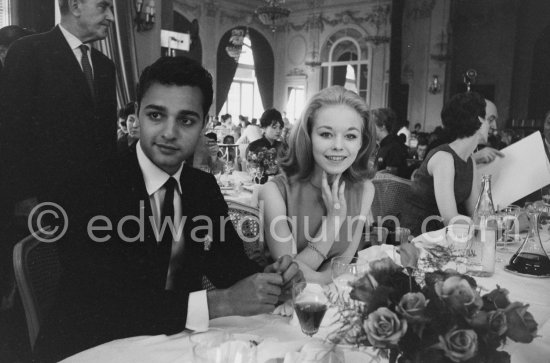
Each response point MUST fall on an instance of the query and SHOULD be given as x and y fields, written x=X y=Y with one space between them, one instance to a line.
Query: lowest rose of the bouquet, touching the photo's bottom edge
x=459 y=345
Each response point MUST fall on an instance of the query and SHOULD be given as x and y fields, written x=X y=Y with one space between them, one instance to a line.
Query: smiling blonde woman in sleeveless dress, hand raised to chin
x=324 y=193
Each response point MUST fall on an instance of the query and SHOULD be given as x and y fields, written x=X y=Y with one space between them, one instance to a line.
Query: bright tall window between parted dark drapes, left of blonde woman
x=244 y=95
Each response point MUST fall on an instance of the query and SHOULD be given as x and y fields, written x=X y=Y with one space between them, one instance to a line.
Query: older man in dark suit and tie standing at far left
x=58 y=108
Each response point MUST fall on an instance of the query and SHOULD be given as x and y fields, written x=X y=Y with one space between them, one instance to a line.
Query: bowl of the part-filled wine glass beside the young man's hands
x=310 y=305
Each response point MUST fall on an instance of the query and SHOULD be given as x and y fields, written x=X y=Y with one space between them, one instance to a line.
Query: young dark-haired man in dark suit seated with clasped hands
x=128 y=279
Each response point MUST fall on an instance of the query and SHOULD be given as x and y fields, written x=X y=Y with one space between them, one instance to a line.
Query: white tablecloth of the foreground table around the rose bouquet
x=279 y=336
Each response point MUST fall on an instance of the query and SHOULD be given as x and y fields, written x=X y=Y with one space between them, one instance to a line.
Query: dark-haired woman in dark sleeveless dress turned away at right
x=447 y=185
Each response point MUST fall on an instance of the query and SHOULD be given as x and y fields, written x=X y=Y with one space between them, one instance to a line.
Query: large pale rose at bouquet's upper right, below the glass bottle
x=459 y=295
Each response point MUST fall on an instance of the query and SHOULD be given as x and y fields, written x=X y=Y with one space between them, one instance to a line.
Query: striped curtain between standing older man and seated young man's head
x=120 y=47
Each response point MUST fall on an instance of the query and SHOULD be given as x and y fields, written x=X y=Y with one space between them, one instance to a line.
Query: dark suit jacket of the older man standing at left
x=49 y=122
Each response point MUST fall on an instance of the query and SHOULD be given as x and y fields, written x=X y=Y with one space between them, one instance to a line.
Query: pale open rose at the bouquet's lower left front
x=384 y=328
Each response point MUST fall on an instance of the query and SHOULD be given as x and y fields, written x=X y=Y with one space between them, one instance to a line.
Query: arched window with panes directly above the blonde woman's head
x=346 y=62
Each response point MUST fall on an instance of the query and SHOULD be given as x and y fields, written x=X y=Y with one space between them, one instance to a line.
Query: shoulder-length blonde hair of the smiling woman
x=299 y=162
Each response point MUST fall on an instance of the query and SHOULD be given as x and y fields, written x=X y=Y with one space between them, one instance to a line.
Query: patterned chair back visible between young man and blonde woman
x=246 y=220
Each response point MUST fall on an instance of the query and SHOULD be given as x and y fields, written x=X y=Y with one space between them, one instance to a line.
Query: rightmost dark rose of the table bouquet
x=522 y=327
